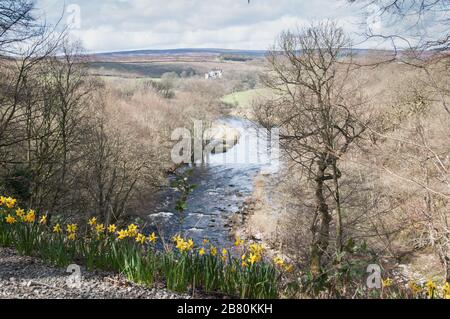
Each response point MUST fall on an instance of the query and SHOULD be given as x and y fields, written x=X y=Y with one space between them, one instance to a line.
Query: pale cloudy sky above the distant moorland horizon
x=117 y=25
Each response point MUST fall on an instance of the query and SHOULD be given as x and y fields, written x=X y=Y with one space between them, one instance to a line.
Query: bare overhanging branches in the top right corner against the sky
x=420 y=38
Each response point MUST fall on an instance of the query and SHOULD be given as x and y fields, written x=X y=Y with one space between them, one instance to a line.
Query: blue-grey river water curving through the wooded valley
x=222 y=186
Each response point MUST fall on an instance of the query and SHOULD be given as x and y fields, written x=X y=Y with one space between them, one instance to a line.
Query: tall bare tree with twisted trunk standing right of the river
x=317 y=110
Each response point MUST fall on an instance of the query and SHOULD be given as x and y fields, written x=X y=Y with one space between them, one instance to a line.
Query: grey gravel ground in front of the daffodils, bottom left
x=23 y=277
